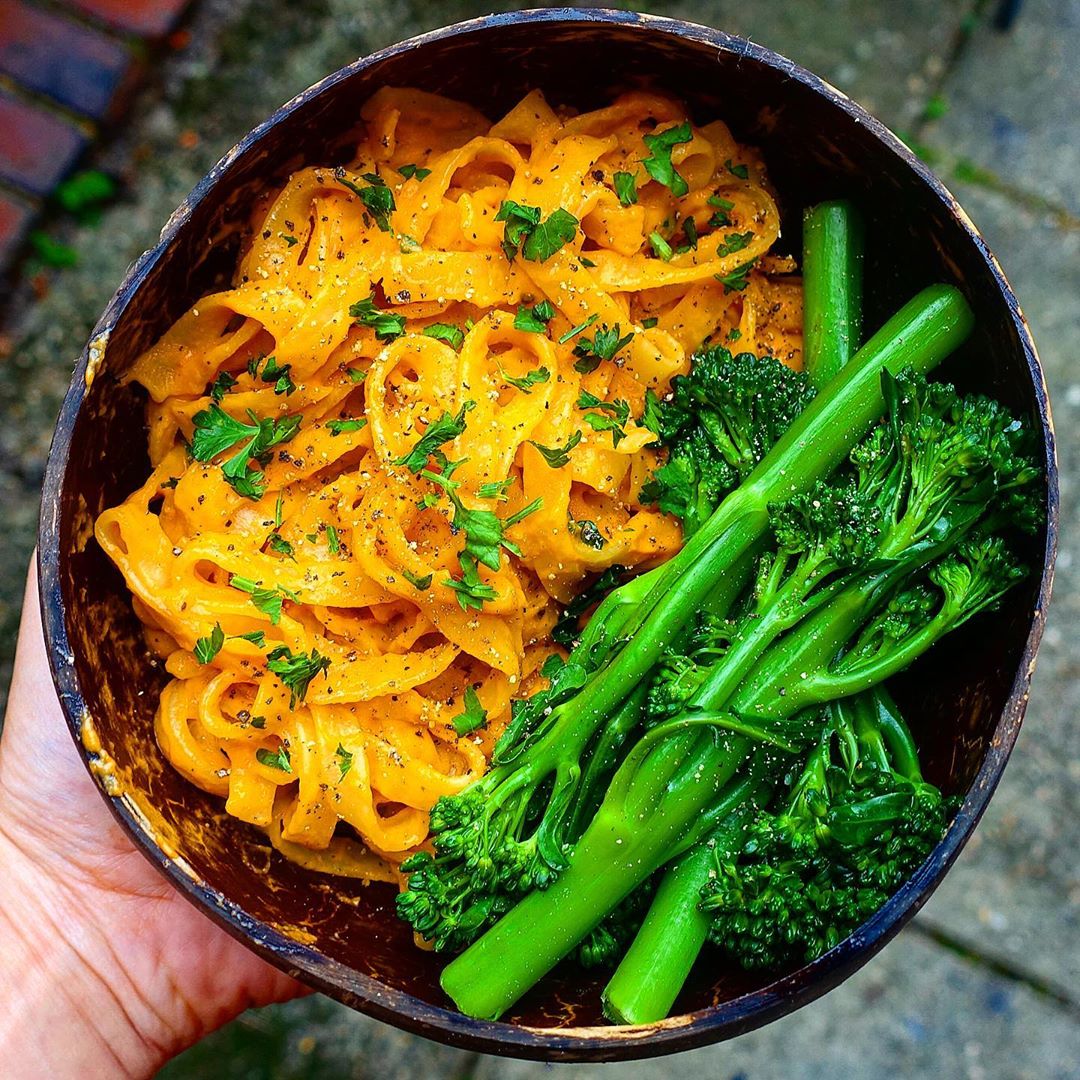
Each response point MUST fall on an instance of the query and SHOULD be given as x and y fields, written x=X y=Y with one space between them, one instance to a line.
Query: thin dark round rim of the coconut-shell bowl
x=400 y=1008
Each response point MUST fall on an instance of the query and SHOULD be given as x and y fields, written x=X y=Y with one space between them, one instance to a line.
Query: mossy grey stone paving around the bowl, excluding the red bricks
x=987 y=982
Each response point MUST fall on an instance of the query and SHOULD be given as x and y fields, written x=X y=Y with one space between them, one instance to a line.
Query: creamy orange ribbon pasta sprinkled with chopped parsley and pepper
x=346 y=602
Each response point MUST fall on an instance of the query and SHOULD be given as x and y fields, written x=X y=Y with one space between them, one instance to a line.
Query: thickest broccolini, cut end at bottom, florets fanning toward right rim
x=870 y=570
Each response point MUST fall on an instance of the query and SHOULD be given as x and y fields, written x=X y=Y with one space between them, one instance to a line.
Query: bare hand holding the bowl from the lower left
x=107 y=969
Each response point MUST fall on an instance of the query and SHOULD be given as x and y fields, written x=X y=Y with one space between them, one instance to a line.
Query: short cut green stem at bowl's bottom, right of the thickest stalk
x=649 y=979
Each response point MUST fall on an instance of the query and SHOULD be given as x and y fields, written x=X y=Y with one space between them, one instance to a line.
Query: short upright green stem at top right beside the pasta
x=832 y=288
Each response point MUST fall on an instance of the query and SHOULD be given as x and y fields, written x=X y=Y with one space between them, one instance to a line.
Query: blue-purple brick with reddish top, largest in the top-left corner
x=75 y=65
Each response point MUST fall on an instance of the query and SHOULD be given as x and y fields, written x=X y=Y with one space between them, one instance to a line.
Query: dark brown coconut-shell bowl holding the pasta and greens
x=966 y=701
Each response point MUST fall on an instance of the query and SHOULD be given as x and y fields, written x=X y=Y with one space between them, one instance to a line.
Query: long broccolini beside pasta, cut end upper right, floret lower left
x=511 y=832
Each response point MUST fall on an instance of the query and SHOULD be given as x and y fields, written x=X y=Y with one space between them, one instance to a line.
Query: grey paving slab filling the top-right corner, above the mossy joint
x=1014 y=102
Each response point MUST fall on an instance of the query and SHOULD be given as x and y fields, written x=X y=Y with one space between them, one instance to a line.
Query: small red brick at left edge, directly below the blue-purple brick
x=37 y=148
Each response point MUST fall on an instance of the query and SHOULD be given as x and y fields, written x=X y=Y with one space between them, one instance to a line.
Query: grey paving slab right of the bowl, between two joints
x=1015 y=894
